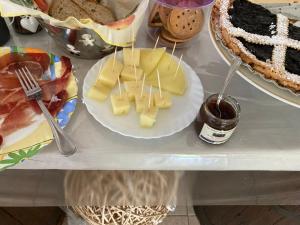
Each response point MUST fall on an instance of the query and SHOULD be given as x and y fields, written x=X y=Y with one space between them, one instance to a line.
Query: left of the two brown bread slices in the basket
x=62 y=9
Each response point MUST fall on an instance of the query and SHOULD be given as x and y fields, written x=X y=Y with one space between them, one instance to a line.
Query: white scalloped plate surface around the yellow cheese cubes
x=182 y=113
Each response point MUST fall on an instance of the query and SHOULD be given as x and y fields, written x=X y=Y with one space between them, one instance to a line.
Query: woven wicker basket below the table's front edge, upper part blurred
x=121 y=197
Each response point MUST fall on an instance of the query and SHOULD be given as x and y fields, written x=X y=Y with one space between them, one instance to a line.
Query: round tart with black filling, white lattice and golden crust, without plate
x=269 y=43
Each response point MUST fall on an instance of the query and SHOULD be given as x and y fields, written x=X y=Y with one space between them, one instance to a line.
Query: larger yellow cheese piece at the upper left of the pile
x=110 y=72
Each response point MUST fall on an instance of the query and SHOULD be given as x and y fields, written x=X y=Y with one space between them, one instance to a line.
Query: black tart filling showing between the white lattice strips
x=256 y=19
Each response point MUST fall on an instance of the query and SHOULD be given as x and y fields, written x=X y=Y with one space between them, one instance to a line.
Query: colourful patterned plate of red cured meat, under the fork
x=23 y=128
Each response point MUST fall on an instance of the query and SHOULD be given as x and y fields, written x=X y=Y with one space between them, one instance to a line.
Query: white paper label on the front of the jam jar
x=213 y=136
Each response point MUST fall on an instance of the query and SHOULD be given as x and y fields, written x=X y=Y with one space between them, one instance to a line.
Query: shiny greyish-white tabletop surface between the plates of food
x=267 y=137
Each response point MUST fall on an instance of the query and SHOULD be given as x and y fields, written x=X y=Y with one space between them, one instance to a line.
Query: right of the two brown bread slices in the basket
x=96 y=11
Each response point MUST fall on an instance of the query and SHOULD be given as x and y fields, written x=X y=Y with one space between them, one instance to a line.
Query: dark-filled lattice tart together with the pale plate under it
x=268 y=44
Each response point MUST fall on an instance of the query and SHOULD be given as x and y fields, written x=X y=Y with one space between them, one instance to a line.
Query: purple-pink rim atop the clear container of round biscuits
x=185 y=3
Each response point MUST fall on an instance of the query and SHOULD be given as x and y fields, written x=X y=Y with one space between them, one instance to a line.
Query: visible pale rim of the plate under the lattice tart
x=270 y=87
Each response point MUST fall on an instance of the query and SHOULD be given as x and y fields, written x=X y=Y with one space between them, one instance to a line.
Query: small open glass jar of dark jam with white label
x=216 y=123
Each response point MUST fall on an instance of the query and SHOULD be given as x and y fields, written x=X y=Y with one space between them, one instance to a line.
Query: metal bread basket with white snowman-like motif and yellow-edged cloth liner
x=84 y=38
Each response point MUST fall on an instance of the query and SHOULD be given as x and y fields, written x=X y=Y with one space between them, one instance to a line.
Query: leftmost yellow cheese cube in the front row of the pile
x=120 y=104
